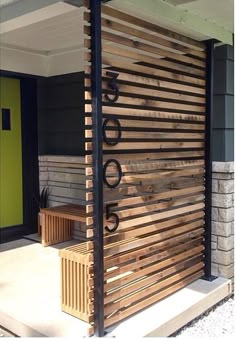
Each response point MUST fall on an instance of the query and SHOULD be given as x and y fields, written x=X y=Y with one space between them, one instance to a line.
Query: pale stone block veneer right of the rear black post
x=223 y=219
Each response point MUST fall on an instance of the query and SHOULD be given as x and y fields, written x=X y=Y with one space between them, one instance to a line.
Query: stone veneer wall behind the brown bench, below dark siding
x=64 y=176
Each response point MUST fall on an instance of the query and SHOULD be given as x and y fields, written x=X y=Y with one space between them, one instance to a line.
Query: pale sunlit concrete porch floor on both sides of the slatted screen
x=30 y=298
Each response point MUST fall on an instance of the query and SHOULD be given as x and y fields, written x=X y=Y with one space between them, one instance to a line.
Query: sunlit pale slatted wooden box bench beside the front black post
x=77 y=281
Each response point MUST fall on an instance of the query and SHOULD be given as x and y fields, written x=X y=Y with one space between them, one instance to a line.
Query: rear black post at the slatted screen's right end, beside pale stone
x=208 y=157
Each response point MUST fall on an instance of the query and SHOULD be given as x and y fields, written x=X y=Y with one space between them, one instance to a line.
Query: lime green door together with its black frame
x=18 y=157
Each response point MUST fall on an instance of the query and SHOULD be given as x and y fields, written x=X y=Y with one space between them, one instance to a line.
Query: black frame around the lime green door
x=28 y=89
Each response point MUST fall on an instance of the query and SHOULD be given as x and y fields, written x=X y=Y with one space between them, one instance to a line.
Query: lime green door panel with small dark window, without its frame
x=11 y=192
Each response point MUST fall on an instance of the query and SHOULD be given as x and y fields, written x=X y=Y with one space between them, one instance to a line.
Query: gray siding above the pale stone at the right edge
x=223 y=110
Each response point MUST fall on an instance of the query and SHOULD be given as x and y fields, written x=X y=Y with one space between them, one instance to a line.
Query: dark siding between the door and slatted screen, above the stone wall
x=61 y=115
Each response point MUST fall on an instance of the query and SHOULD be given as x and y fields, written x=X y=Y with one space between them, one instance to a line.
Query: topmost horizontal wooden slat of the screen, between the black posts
x=127 y=18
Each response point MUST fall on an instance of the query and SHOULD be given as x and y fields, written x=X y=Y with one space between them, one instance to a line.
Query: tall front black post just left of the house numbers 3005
x=96 y=74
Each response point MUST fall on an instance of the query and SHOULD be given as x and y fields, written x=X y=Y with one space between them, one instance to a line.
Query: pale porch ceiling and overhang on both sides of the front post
x=49 y=33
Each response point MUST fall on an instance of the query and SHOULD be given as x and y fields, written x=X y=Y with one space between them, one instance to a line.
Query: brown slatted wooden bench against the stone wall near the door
x=57 y=222
